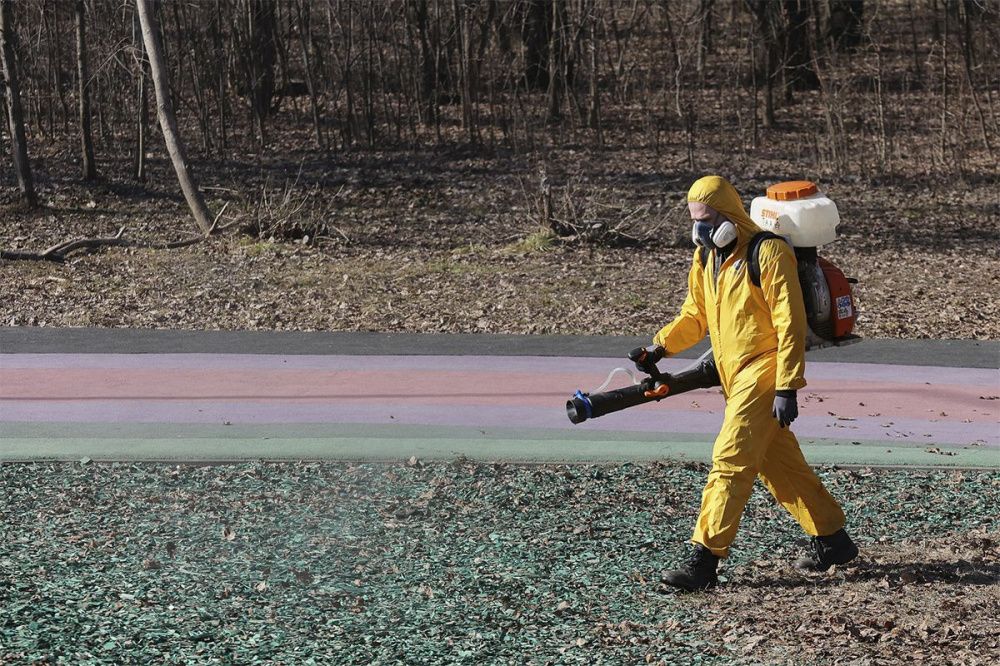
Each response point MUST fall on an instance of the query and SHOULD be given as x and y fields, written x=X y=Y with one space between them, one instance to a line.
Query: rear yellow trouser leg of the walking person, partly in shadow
x=795 y=485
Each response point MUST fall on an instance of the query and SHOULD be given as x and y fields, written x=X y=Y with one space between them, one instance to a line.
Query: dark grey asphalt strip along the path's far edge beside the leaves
x=41 y=340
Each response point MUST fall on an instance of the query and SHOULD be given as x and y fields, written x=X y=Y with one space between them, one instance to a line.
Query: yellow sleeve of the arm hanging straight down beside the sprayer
x=779 y=280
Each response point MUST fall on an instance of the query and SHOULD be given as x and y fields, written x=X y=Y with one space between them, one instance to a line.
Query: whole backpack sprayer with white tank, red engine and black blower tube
x=805 y=218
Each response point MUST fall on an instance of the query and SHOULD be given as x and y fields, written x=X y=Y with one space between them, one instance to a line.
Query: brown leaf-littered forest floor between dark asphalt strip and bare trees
x=450 y=240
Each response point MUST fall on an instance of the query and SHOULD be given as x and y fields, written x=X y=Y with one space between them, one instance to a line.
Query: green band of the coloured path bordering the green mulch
x=365 y=442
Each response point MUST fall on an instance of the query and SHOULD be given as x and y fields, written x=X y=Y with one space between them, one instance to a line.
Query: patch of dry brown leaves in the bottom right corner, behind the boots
x=929 y=601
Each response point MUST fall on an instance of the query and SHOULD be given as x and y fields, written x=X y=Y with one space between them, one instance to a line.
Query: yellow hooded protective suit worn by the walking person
x=758 y=338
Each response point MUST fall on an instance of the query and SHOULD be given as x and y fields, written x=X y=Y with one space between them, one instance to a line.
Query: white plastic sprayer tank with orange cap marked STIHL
x=798 y=211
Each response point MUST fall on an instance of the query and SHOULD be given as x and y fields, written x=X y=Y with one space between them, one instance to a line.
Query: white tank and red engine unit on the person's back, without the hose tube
x=808 y=219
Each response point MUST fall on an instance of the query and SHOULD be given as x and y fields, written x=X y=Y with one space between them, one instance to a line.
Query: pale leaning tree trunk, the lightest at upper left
x=165 y=113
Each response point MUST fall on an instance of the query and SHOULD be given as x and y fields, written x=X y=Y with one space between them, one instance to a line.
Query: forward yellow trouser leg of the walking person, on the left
x=747 y=430
